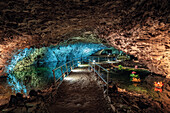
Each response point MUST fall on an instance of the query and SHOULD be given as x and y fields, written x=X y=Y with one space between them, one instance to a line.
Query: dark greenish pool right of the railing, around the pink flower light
x=122 y=78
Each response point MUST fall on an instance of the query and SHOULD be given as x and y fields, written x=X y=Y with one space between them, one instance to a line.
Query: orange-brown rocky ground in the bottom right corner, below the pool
x=131 y=102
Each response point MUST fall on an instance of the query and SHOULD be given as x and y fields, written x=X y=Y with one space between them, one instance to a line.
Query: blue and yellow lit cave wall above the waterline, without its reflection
x=60 y=54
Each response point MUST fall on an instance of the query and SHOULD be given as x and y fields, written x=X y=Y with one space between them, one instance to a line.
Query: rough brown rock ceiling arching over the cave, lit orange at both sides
x=137 y=27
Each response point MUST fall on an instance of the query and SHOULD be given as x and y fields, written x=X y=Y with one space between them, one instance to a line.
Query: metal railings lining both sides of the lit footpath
x=66 y=68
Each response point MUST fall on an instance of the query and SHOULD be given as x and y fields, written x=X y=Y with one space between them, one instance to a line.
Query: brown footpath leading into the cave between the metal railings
x=79 y=93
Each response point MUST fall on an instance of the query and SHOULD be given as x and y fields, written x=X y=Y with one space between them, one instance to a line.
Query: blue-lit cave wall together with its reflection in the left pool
x=30 y=68
